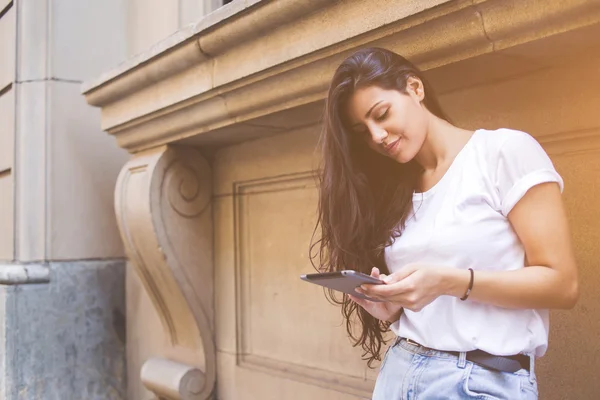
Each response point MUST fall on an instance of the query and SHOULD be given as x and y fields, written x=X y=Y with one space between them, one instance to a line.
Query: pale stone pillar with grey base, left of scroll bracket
x=62 y=310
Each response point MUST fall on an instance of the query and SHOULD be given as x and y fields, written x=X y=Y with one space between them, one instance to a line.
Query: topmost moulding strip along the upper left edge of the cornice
x=218 y=32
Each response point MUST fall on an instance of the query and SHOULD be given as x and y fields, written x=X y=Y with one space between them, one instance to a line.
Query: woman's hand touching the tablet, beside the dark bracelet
x=413 y=287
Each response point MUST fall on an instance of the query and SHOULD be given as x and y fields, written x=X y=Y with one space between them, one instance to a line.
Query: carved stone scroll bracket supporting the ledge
x=163 y=207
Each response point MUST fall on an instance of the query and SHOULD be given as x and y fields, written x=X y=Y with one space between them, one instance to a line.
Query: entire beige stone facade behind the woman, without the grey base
x=215 y=202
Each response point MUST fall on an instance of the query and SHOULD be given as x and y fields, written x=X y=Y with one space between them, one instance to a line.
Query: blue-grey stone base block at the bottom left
x=65 y=340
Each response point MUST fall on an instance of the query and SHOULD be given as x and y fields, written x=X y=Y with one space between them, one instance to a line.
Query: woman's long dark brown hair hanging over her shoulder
x=364 y=197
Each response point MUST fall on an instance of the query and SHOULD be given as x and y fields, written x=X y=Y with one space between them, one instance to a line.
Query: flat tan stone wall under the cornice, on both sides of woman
x=272 y=322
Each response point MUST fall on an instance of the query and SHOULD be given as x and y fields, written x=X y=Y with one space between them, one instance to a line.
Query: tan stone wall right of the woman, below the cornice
x=554 y=103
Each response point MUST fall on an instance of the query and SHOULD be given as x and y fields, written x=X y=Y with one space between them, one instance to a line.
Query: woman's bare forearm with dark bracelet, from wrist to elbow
x=533 y=287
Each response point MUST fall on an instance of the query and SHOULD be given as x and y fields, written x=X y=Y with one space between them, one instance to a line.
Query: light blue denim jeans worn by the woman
x=410 y=372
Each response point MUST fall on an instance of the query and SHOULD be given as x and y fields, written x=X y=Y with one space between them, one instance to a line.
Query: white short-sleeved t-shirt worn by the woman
x=462 y=223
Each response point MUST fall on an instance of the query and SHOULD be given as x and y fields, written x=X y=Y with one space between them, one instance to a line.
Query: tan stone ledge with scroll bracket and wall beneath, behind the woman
x=223 y=118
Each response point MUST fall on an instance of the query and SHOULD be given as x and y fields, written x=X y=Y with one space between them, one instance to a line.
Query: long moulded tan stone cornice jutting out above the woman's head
x=222 y=73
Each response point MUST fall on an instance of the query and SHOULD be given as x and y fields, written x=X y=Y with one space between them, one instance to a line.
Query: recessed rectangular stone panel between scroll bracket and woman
x=285 y=323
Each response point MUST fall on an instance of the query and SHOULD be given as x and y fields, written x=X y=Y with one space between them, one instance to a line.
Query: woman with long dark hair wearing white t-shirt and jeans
x=466 y=228
